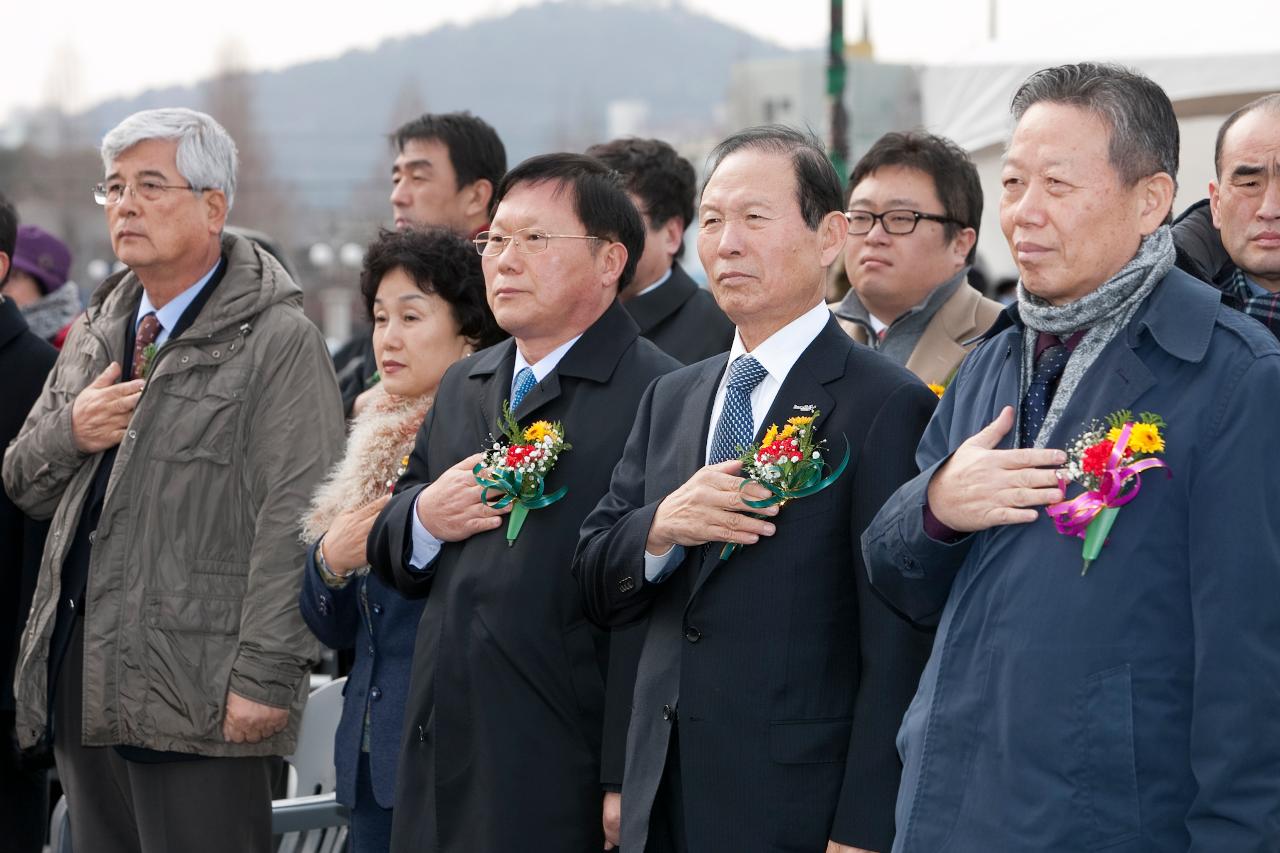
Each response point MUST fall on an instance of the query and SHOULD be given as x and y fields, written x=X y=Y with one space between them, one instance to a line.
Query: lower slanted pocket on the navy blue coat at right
x=1110 y=781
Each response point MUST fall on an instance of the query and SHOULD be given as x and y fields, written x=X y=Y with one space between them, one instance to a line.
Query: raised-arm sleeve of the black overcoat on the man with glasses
x=391 y=541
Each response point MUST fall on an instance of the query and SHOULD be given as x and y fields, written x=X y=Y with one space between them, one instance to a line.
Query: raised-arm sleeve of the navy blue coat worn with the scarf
x=912 y=571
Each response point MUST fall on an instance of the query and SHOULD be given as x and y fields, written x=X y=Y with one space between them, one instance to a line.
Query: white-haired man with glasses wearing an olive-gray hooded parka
x=176 y=444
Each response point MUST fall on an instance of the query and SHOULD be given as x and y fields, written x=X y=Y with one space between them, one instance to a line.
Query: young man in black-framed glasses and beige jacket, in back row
x=915 y=208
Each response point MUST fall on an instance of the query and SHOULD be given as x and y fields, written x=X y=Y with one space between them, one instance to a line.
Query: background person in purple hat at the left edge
x=39 y=284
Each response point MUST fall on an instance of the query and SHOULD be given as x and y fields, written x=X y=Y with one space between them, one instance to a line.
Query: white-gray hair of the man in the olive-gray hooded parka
x=207 y=153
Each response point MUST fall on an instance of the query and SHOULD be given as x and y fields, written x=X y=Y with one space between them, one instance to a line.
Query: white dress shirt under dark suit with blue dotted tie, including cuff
x=778 y=355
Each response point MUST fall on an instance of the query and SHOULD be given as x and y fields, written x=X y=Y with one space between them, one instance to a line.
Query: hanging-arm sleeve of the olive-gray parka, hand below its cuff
x=296 y=434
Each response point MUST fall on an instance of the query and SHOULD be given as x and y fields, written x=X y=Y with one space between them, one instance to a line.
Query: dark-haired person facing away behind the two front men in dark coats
x=668 y=305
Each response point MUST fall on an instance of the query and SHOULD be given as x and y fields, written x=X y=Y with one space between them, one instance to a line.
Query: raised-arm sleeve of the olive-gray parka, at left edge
x=43 y=459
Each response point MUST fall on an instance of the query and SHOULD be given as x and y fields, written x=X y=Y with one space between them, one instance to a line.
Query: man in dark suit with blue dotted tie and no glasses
x=771 y=686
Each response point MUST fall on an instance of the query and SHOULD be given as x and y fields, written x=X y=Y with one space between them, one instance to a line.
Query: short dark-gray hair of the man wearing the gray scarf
x=1137 y=111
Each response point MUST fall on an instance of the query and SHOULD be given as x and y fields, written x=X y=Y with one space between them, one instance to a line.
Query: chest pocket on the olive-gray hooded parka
x=200 y=417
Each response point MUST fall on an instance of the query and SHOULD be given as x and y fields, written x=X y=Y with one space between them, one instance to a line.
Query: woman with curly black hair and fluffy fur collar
x=424 y=293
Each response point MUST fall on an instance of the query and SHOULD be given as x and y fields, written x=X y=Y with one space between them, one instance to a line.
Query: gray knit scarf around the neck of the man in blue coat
x=1105 y=313
